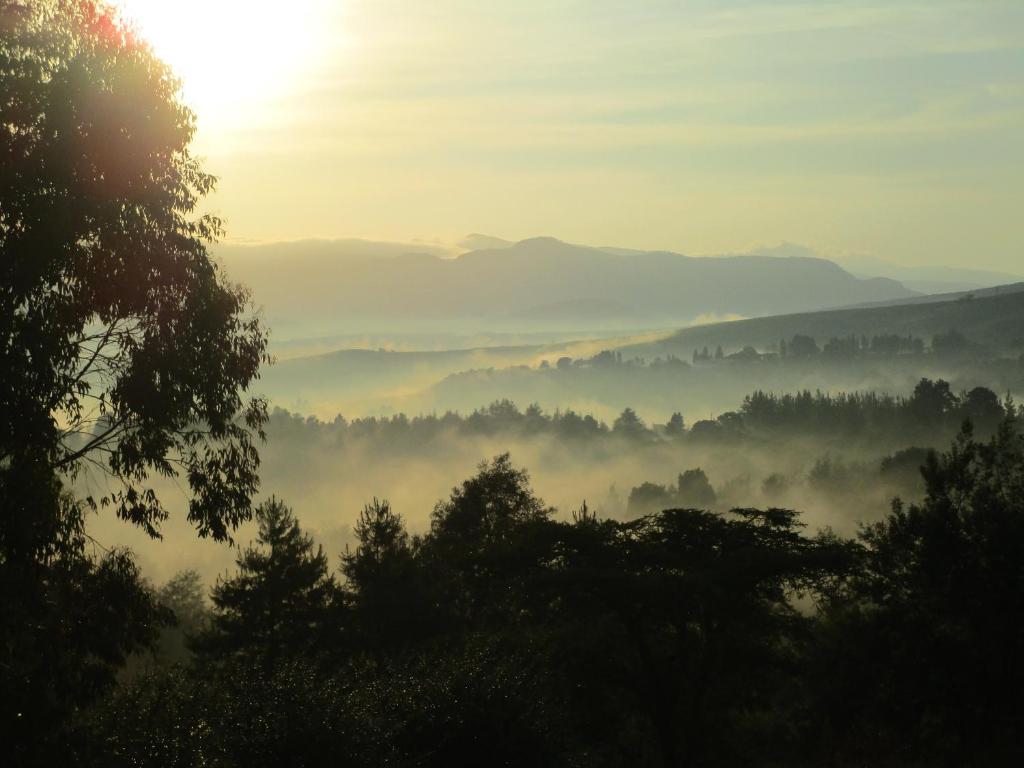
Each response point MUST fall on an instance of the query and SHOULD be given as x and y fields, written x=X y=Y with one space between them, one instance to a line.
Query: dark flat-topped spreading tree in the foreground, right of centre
x=681 y=620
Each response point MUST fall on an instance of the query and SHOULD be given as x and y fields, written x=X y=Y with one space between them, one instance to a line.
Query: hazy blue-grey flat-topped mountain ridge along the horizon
x=382 y=285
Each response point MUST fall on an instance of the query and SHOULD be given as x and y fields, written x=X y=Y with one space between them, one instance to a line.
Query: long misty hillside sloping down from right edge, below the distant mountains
x=378 y=381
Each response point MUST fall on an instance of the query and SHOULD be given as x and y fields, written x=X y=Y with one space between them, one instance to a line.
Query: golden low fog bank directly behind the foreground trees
x=327 y=482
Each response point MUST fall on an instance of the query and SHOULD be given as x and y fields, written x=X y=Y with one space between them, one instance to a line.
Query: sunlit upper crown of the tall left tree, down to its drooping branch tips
x=122 y=347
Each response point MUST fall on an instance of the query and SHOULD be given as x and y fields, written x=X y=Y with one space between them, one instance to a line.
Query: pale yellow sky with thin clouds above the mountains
x=893 y=130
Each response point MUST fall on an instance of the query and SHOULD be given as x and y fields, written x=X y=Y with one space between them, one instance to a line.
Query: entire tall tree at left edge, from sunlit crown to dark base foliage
x=123 y=350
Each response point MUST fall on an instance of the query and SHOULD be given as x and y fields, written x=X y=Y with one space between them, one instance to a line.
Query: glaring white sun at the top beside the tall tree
x=236 y=59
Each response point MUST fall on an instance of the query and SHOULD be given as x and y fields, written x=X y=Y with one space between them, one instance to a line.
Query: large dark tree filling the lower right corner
x=926 y=638
